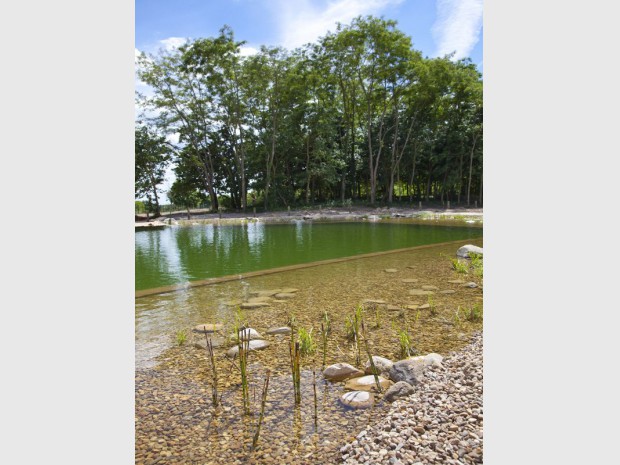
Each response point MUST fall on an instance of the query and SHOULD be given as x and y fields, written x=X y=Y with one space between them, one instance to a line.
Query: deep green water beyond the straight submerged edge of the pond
x=180 y=254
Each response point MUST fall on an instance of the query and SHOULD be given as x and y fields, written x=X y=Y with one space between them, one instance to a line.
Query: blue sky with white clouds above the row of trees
x=437 y=27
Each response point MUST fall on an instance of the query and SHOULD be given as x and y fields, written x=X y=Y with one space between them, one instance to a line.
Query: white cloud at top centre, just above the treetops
x=302 y=22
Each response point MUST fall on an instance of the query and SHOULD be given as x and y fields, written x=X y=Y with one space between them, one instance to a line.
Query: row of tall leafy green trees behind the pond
x=359 y=114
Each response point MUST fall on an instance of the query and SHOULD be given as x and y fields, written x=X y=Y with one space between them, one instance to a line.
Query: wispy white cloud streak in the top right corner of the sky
x=458 y=26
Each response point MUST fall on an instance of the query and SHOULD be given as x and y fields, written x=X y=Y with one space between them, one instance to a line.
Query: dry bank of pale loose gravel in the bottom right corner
x=441 y=423
